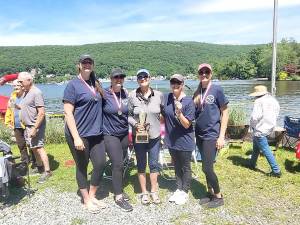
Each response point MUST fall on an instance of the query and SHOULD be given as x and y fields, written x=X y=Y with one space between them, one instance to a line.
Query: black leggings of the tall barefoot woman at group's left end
x=94 y=151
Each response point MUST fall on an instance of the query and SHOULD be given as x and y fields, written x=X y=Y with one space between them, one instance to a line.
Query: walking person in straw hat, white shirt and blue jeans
x=262 y=122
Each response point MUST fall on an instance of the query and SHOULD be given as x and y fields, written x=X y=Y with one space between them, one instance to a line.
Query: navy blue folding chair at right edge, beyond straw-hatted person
x=292 y=127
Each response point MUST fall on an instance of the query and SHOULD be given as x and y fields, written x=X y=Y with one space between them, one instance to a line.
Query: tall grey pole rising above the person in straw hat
x=273 y=91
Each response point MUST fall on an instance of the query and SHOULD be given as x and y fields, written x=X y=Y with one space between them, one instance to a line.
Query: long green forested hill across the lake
x=161 y=58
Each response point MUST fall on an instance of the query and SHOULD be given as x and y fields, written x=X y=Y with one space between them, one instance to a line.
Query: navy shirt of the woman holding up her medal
x=177 y=137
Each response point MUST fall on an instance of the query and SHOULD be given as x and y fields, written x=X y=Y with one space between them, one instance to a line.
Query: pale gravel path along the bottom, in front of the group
x=51 y=207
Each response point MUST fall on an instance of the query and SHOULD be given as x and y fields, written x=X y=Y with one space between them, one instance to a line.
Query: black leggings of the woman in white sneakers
x=182 y=163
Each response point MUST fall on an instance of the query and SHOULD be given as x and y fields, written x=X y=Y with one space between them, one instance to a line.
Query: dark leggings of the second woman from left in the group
x=116 y=148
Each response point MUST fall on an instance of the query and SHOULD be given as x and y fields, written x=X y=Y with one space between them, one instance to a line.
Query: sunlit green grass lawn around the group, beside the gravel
x=249 y=195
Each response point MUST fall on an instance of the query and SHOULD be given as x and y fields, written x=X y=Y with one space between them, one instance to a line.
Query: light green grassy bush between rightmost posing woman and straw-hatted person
x=237 y=116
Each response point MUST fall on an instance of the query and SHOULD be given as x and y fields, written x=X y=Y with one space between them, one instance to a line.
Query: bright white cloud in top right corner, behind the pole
x=219 y=6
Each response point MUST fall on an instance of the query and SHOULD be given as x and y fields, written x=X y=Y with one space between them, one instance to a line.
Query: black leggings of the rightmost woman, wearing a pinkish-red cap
x=208 y=152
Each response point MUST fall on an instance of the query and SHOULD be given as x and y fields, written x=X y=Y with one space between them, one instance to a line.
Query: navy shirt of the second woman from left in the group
x=114 y=124
